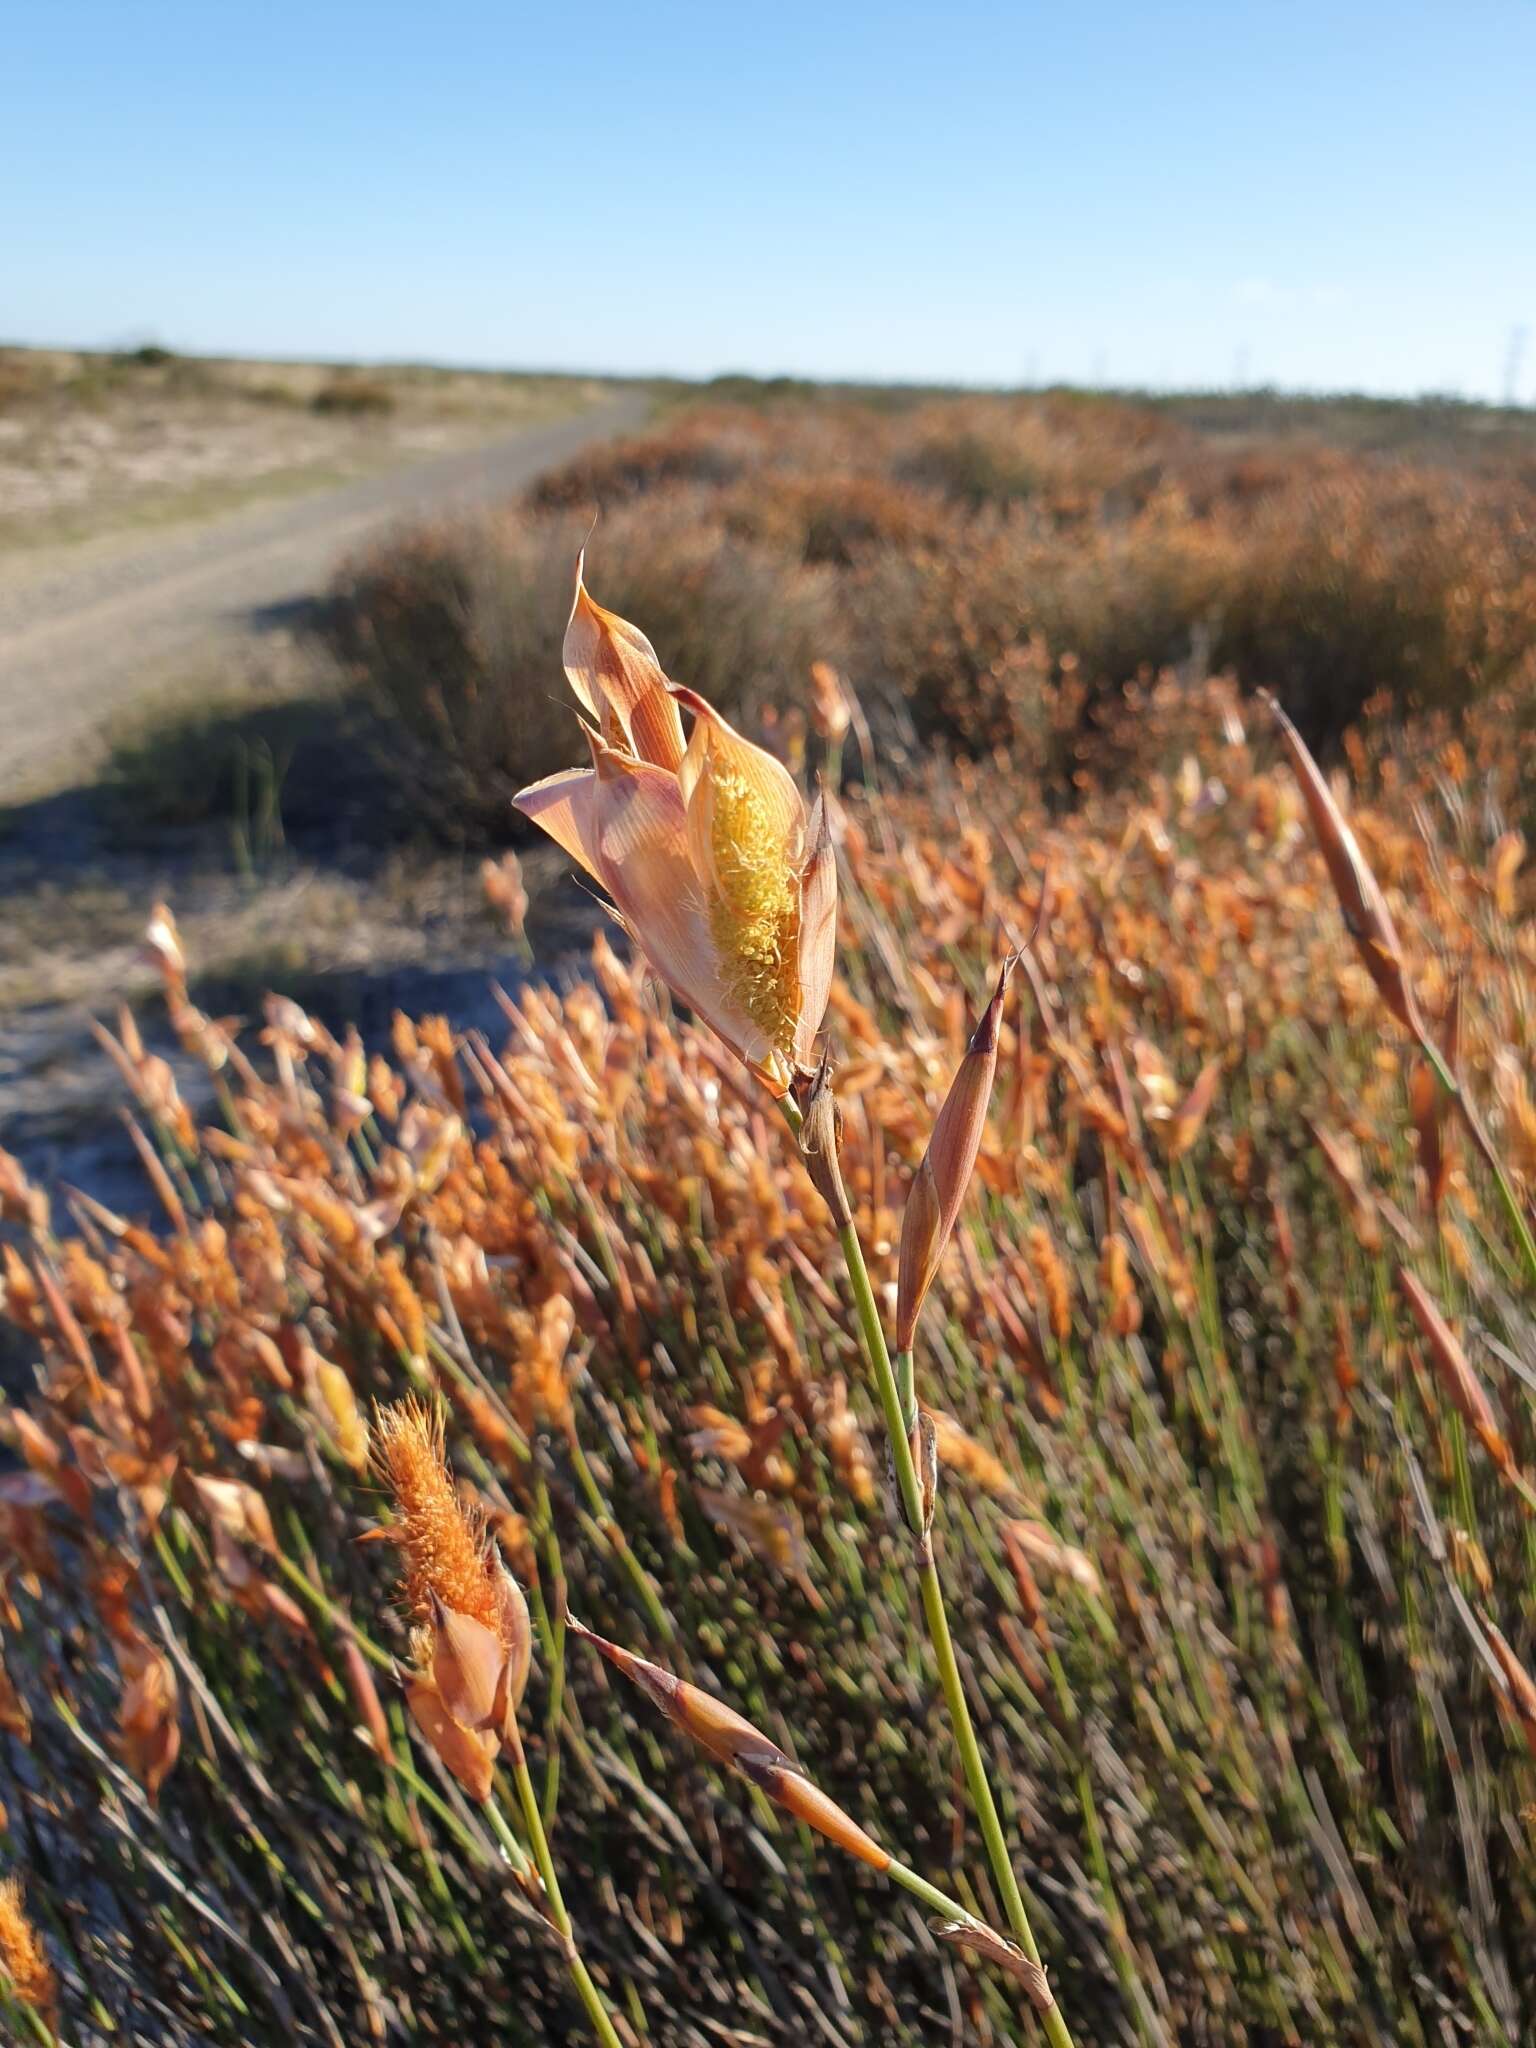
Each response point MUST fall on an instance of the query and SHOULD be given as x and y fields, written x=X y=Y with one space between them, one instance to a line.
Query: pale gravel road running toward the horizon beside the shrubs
x=87 y=630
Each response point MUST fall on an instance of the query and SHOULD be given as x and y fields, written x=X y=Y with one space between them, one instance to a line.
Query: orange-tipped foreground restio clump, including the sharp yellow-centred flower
x=943 y=1451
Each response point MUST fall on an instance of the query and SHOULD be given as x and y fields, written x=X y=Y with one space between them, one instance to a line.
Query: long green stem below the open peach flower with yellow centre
x=939 y=1627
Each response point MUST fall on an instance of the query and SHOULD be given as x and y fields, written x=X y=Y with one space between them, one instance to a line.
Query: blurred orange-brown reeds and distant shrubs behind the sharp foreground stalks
x=1228 y=1365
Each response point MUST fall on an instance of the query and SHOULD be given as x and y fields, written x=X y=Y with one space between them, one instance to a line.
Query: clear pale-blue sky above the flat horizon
x=1181 y=196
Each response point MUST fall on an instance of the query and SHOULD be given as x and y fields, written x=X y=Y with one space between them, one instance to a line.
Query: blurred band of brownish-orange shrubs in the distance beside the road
x=968 y=564
